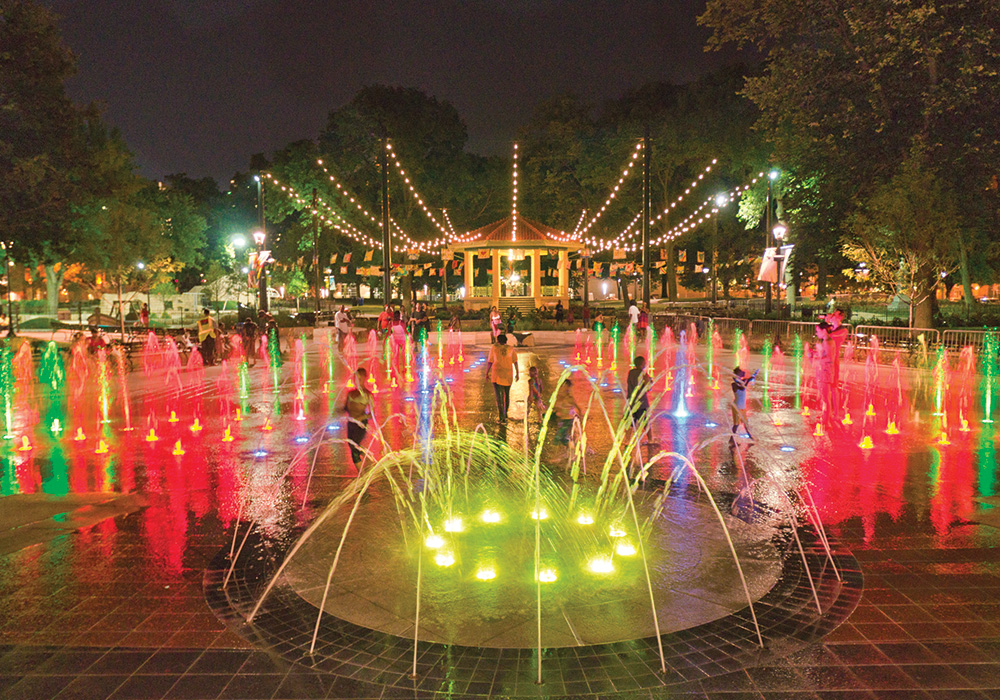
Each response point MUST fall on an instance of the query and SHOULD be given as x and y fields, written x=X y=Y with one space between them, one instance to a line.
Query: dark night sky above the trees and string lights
x=198 y=86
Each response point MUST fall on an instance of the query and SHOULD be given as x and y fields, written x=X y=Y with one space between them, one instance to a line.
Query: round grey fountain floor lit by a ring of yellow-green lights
x=478 y=584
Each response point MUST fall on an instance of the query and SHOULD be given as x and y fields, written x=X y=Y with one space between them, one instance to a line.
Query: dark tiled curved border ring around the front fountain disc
x=787 y=616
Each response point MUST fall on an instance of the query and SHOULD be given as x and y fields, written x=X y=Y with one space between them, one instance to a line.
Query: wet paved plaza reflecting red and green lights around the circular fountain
x=103 y=571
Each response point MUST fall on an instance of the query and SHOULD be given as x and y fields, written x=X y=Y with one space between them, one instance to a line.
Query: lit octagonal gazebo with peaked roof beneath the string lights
x=507 y=245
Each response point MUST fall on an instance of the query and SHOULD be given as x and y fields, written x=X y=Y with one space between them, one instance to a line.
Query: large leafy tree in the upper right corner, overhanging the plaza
x=850 y=89
